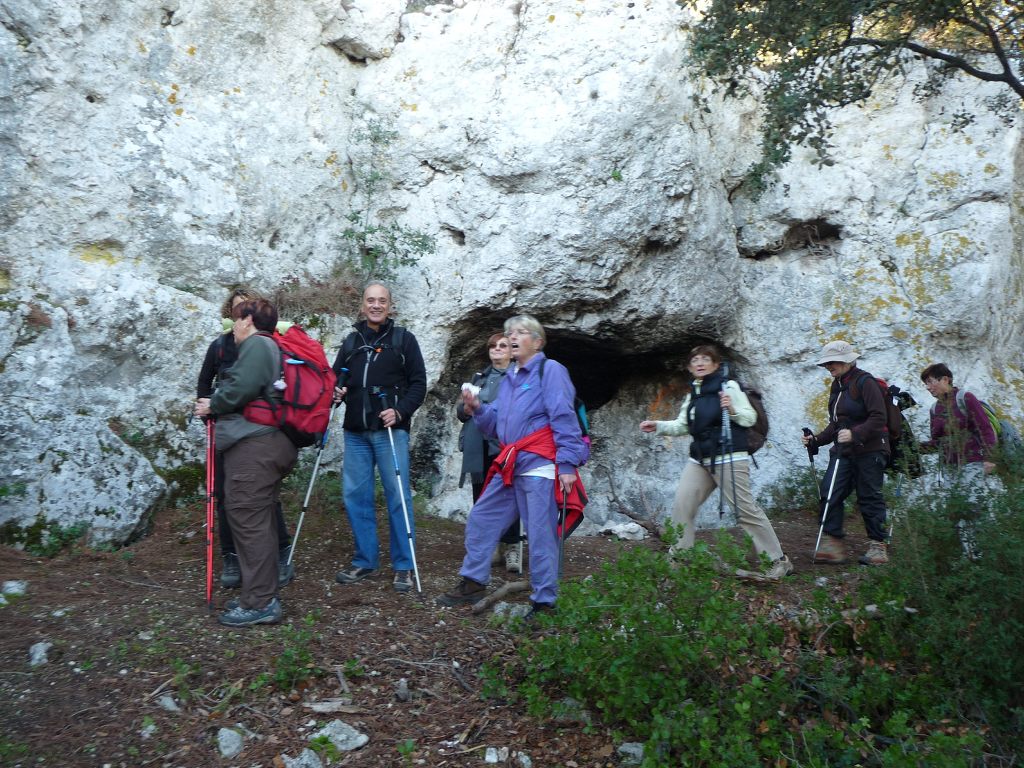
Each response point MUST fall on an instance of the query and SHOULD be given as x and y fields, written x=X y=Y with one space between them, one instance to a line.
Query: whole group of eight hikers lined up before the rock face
x=266 y=391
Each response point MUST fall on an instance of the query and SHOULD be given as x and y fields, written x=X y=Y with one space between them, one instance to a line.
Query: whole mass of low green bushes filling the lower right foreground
x=706 y=672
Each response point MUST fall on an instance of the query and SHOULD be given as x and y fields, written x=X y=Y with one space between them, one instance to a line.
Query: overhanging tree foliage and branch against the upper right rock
x=810 y=57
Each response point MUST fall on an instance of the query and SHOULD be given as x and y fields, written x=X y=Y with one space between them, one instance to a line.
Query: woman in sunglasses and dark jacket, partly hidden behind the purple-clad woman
x=479 y=452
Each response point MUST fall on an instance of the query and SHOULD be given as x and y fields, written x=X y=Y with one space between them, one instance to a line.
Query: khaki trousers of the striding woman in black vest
x=696 y=486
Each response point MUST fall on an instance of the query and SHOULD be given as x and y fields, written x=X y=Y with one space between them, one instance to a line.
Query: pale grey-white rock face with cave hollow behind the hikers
x=567 y=163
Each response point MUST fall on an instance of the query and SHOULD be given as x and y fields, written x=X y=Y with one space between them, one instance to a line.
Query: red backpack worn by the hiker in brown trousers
x=305 y=409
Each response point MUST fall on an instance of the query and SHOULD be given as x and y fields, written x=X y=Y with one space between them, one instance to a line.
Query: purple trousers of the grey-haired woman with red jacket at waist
x=532 y=499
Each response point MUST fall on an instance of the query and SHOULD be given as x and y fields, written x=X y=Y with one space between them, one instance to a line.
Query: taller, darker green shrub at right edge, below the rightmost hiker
x=968 y=631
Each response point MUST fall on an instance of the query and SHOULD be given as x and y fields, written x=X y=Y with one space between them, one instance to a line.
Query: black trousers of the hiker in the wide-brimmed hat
x=865 y=475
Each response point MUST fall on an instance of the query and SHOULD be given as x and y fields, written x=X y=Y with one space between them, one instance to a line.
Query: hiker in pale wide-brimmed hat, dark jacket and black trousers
x=858 y=460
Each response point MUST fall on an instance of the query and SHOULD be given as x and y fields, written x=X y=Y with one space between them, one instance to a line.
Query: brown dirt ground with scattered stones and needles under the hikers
x=131 y=628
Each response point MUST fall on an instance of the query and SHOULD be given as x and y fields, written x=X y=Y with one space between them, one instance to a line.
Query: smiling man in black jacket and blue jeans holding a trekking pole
x=382 y=379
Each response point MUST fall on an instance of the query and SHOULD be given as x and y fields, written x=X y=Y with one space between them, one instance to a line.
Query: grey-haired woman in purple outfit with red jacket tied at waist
x=535 y=421
